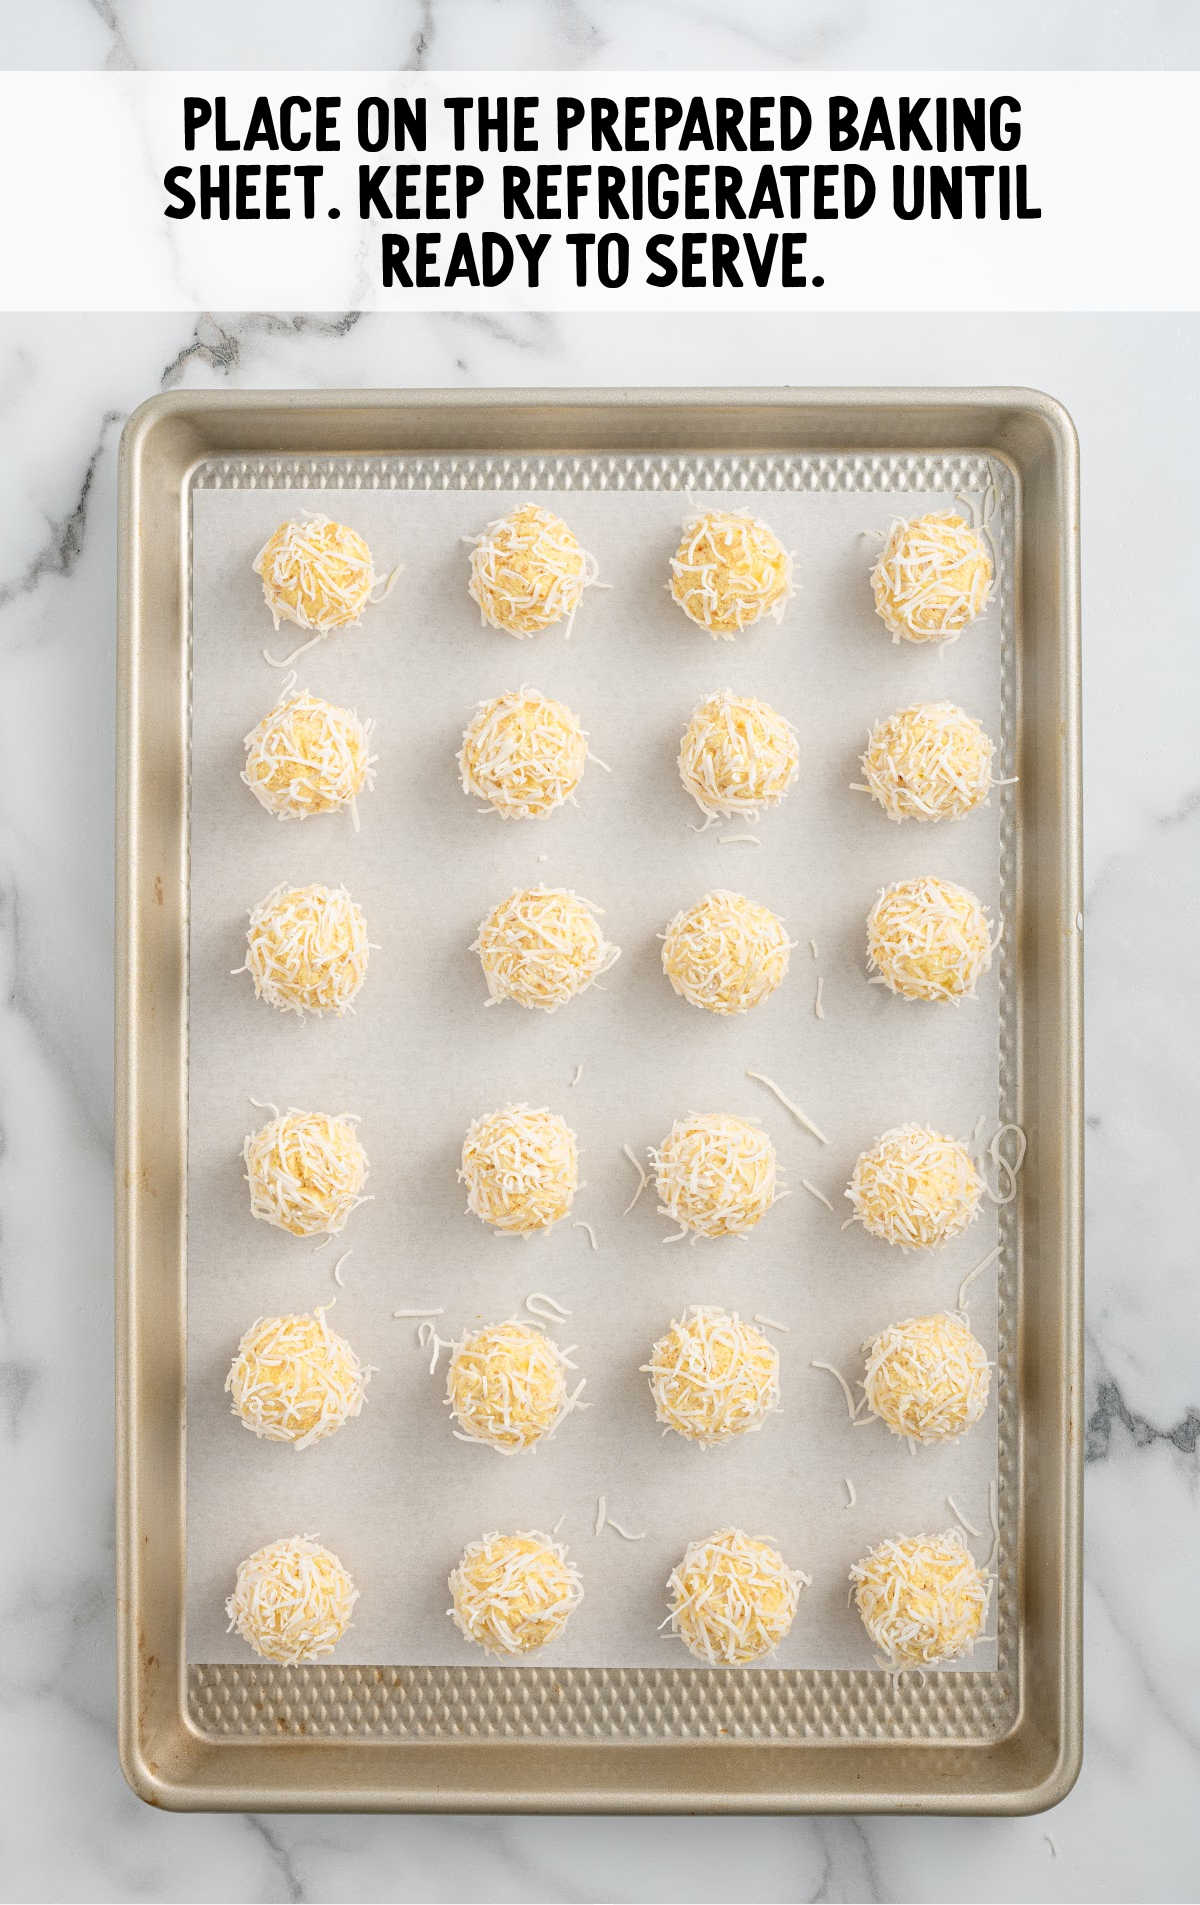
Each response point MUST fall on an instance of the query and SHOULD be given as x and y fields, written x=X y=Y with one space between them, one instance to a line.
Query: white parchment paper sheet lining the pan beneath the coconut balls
x=395 y=1494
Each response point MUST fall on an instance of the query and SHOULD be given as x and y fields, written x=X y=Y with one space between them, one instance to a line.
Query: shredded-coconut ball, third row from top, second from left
x=542 y=948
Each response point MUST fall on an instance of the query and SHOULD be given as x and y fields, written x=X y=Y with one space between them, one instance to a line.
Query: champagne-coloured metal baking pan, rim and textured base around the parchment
x=367 y=1736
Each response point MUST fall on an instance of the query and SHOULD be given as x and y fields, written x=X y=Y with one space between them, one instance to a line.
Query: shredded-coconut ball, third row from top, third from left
x=727 y=953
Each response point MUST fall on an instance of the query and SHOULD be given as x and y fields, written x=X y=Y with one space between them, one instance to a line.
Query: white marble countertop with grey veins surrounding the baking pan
x=68 y=1826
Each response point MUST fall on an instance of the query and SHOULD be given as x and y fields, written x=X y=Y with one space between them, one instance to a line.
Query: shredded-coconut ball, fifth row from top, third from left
x=713 y=1376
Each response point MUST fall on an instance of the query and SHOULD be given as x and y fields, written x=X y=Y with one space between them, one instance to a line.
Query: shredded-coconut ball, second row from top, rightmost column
x=929 y=763
